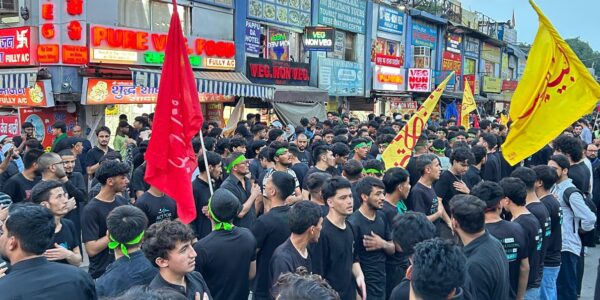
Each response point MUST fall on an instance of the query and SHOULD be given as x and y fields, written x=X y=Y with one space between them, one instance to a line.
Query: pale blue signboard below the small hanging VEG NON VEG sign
x=341 y=78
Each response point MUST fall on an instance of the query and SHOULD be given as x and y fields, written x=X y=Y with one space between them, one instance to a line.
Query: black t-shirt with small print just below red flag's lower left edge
x=157 y=209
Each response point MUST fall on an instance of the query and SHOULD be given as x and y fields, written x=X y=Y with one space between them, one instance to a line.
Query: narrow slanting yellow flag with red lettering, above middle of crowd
x=400 y=150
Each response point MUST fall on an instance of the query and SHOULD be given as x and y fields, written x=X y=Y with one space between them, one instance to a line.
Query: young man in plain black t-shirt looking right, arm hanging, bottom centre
x=335 y=257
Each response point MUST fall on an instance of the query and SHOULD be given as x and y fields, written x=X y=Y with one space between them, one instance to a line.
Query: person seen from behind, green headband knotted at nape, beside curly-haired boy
x=228 y=254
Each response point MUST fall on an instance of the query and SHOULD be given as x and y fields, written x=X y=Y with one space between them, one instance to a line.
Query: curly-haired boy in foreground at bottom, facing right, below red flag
x=168 y=246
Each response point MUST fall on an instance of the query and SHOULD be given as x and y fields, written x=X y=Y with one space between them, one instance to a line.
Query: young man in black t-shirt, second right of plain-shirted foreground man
x=515 y=193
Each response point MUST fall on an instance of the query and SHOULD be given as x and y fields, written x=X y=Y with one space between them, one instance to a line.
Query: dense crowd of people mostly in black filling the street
x=306 y=212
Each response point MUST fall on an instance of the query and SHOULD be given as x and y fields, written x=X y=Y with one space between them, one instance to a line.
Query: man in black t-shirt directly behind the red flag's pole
x=201 y=224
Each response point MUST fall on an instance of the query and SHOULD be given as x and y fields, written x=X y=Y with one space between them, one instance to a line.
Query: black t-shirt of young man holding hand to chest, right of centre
x=372 y=263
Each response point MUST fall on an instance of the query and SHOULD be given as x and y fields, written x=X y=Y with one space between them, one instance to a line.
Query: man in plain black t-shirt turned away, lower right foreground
x=486 y=265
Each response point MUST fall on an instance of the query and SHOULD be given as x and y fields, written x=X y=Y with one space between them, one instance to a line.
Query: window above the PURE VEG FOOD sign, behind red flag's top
x=151 y=15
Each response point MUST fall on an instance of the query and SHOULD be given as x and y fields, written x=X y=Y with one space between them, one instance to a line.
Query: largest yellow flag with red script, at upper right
x=555 y=91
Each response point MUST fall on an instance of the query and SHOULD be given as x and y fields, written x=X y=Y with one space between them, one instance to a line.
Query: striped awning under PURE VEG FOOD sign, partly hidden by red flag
x=222 y=83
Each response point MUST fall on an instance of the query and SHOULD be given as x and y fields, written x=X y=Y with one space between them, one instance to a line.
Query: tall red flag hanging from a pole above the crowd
x=170 y=158
